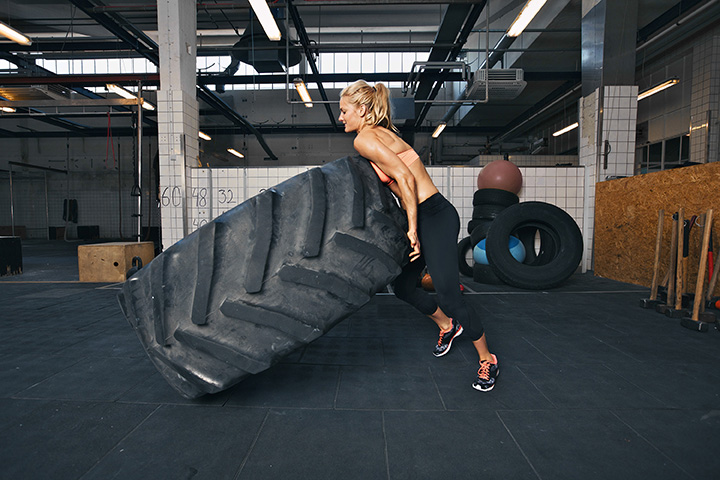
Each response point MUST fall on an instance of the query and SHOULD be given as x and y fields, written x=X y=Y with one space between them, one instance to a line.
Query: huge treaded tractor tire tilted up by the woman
x=267 y=277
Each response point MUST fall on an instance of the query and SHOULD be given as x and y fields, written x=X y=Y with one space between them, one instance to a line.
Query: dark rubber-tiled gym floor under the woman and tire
x=591 y=386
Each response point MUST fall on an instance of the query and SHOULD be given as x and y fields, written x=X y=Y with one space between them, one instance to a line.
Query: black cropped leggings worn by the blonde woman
x=438 y=228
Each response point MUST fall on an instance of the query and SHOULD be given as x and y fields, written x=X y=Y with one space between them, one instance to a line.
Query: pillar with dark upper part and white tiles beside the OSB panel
x=608 y=109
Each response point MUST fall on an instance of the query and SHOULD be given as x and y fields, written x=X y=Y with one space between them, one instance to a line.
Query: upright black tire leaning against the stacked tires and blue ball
x=560 y=245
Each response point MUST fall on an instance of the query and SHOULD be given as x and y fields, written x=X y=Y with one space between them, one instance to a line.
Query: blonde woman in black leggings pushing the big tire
x=433 y=223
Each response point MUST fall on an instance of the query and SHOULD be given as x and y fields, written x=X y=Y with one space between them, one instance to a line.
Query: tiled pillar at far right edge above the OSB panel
x=705 y=101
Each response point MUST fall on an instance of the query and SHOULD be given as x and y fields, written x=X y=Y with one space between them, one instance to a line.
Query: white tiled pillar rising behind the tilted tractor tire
x=177 y=114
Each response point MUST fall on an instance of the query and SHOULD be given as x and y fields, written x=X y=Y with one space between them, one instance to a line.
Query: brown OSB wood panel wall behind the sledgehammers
x=626 y=215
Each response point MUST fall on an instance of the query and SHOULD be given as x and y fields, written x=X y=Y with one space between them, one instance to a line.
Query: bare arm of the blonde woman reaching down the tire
x=370 y=147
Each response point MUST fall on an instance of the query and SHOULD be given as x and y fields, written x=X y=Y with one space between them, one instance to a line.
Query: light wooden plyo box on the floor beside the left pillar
x=109 y=262
